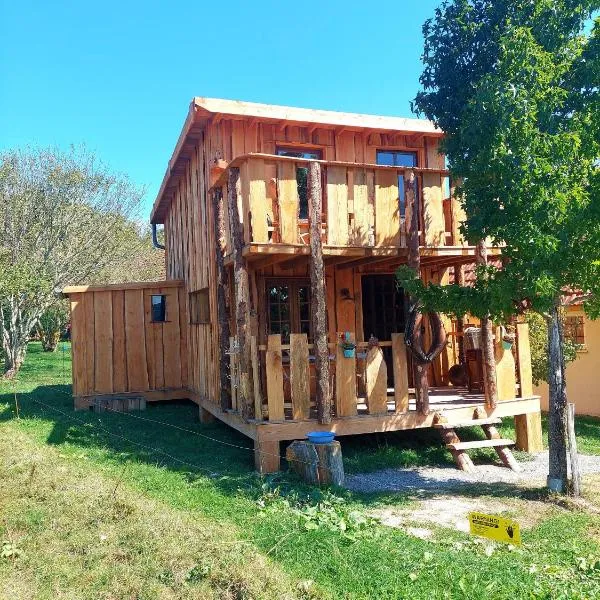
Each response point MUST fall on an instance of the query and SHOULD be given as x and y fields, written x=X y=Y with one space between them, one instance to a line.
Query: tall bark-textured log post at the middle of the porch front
x=317 y=288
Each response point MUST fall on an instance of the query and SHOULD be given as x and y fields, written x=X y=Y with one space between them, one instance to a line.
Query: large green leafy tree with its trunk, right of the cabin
x=514 y=87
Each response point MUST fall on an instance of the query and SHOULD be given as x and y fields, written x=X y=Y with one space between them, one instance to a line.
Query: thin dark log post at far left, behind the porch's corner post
x=222 y=301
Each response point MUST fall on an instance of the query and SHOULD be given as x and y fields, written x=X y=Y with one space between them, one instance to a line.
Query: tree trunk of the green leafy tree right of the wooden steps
x=557 y=421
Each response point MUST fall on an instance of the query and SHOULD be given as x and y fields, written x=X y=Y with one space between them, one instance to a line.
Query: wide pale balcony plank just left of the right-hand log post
x=387 y=213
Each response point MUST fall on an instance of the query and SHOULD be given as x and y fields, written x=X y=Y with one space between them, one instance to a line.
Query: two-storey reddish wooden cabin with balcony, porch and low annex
x=233 y=327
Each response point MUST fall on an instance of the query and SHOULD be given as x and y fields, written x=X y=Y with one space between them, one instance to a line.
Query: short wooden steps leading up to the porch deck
x=459 y=449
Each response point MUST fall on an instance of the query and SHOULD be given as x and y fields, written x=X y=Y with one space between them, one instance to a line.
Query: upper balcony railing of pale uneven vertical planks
x=361 y=203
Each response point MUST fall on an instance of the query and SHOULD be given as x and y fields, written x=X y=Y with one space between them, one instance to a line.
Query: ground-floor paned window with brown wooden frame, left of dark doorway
x=288 y=308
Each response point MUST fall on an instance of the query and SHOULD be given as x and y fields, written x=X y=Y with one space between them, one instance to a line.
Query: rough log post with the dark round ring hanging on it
x=414 y=262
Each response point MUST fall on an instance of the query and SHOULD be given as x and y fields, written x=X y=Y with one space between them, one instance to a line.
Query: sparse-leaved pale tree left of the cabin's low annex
x=66 y=220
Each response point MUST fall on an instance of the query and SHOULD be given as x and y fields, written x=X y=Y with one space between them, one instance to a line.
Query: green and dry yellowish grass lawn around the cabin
x=120 y=506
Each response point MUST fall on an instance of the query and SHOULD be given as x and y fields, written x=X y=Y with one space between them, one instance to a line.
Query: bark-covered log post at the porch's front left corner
x=242 y=296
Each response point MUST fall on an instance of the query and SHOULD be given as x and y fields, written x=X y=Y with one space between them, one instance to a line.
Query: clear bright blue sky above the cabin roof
x=118 y=76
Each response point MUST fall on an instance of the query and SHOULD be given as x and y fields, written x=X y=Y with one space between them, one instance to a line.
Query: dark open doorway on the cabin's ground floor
x=383 y=312
